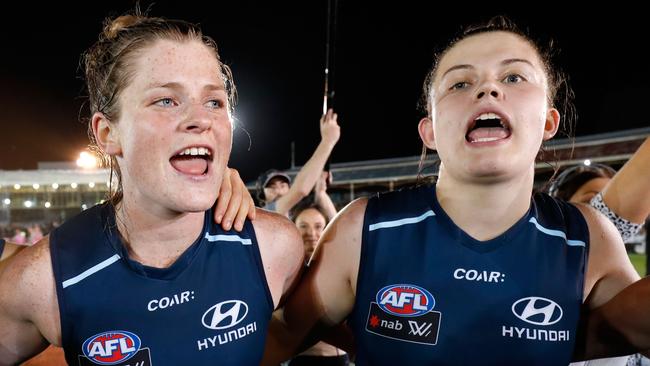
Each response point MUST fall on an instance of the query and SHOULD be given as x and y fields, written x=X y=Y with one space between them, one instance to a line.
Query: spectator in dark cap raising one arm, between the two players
x=275 y=189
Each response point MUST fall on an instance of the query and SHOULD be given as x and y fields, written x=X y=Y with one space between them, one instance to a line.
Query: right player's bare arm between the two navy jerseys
x=326 y=294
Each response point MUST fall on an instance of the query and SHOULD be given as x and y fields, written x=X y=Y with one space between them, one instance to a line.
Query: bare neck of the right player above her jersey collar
x=485 y=211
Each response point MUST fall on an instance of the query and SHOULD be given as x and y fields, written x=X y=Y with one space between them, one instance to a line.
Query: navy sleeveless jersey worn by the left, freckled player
x=211 y=307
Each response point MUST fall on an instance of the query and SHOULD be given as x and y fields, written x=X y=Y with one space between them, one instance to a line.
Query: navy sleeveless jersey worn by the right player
x=429 y=294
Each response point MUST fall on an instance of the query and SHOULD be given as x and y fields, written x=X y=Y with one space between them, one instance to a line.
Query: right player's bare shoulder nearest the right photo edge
x=609 y=269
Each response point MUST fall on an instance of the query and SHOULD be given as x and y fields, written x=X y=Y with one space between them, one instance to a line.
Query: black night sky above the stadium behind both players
x=277 y=52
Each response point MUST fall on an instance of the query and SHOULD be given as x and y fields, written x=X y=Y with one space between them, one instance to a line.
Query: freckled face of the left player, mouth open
x=174 y=129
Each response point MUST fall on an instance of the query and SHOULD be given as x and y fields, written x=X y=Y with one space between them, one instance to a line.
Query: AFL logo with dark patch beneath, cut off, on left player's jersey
x=114 y=348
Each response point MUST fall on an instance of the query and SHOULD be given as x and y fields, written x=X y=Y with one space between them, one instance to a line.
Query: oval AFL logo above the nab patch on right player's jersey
x=405 y=300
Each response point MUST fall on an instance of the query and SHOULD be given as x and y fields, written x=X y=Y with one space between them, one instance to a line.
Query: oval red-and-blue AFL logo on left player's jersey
x=110 y=348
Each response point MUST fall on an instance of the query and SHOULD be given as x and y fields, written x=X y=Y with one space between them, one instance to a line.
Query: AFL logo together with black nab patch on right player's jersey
x=405 y=313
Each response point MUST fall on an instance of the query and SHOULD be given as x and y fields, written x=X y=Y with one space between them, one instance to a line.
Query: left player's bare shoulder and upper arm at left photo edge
x=29 y=317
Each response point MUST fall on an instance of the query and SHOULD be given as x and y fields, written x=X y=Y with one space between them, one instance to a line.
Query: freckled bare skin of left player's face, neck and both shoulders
x=174 y=100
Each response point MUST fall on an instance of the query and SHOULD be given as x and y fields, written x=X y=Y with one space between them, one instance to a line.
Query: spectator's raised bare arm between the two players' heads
x=311 y=171
